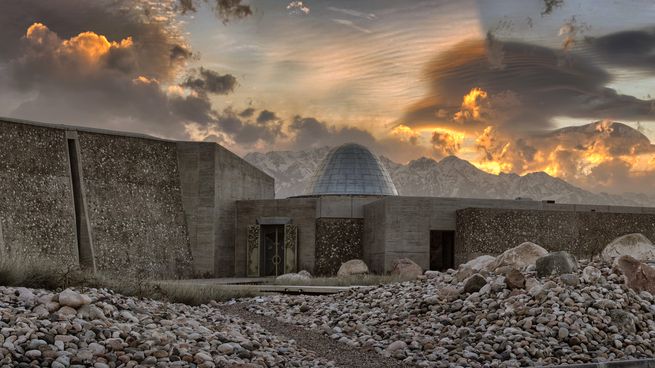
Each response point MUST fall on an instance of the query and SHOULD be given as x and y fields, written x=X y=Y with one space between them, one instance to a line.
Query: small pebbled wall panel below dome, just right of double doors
x=337 y=240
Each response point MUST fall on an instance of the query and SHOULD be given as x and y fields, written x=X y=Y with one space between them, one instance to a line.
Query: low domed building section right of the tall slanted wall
x=351 y=210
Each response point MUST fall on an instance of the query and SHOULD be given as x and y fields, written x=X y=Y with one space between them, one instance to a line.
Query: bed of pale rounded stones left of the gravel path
x=101 y=329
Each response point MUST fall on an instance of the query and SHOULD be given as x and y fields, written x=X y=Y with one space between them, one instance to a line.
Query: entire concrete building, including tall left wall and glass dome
x=126 y=203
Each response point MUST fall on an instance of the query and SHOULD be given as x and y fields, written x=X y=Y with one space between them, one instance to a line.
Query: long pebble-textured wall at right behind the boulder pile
x=584 y=234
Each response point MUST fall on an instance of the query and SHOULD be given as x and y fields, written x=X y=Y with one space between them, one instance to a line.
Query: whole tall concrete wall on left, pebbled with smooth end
x=146 y=201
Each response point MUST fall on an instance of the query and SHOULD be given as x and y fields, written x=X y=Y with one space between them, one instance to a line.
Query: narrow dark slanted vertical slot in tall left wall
x=84 y=249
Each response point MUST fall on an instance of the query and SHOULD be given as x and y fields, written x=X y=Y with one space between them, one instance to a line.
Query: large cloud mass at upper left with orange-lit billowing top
x=111 y=64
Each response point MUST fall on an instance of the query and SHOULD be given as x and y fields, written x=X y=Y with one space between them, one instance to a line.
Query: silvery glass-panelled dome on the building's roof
x=351 y=169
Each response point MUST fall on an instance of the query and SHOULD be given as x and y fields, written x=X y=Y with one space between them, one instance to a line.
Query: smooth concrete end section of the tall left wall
x=212 y=179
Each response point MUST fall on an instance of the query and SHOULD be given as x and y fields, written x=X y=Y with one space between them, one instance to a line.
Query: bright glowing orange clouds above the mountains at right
x=601 y=156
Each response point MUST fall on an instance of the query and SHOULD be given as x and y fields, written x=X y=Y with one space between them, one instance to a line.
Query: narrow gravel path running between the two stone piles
x=342 y=354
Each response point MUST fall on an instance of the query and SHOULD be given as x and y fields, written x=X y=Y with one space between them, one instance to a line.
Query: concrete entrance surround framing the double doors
x=301 y=211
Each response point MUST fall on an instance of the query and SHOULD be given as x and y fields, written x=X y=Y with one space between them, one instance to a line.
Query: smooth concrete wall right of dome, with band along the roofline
x=396 y=227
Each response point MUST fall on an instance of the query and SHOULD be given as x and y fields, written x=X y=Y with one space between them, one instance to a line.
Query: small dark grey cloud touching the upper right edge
x=630 y=49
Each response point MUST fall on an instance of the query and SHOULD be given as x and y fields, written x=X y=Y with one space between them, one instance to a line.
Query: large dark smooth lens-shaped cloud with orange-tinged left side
x=538 y=83
